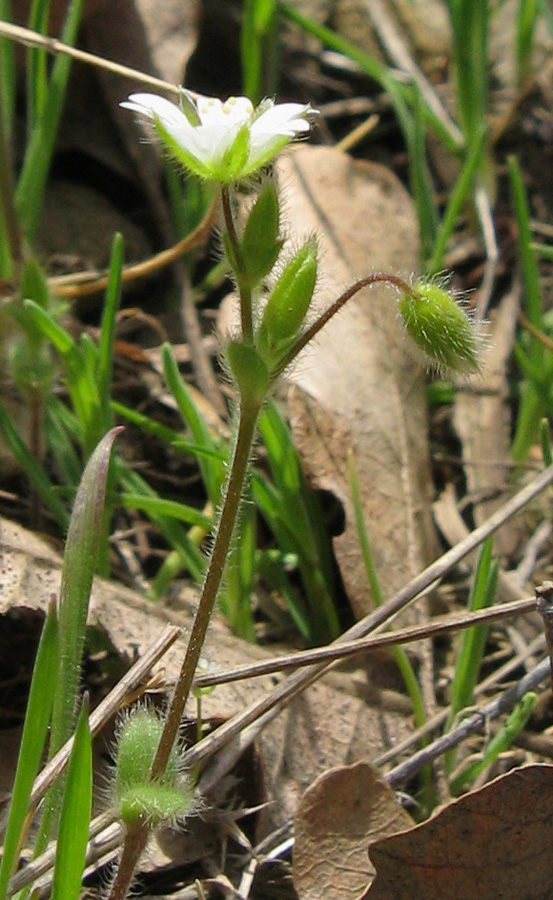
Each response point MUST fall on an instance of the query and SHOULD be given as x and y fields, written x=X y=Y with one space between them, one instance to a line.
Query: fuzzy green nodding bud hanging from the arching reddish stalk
x=440 y=327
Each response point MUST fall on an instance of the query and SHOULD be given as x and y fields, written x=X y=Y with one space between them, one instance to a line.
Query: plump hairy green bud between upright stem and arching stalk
x=288 y=304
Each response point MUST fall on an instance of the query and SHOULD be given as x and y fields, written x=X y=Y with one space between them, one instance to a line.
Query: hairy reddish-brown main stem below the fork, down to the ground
x=136 y=841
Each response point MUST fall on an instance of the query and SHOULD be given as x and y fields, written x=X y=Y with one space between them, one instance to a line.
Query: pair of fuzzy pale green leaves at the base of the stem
x=140 y=799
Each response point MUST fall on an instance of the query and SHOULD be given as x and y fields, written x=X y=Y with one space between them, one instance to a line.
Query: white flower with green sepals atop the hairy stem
x=223 y=142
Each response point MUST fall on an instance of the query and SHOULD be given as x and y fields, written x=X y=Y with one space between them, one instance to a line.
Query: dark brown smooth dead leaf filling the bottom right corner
x=492 y=843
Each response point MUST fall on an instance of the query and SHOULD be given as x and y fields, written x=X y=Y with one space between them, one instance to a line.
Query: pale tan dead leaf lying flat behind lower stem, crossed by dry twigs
x=326 y=726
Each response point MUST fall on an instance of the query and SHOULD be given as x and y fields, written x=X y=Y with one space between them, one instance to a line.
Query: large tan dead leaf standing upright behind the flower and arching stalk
x=360 y=386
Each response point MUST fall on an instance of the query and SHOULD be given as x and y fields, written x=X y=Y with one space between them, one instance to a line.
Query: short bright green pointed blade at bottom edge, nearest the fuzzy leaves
x=75 y=815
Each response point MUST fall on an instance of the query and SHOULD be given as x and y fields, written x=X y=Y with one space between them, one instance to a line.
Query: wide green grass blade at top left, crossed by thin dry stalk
x=32 y=180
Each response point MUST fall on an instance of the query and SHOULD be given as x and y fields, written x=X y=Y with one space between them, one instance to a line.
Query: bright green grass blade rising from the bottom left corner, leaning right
x=33 y=740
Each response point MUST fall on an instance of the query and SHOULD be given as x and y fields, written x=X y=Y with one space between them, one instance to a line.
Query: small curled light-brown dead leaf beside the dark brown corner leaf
x=337 y=814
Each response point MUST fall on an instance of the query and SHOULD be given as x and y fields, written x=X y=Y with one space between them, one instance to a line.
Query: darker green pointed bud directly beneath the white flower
x=261 y=244
